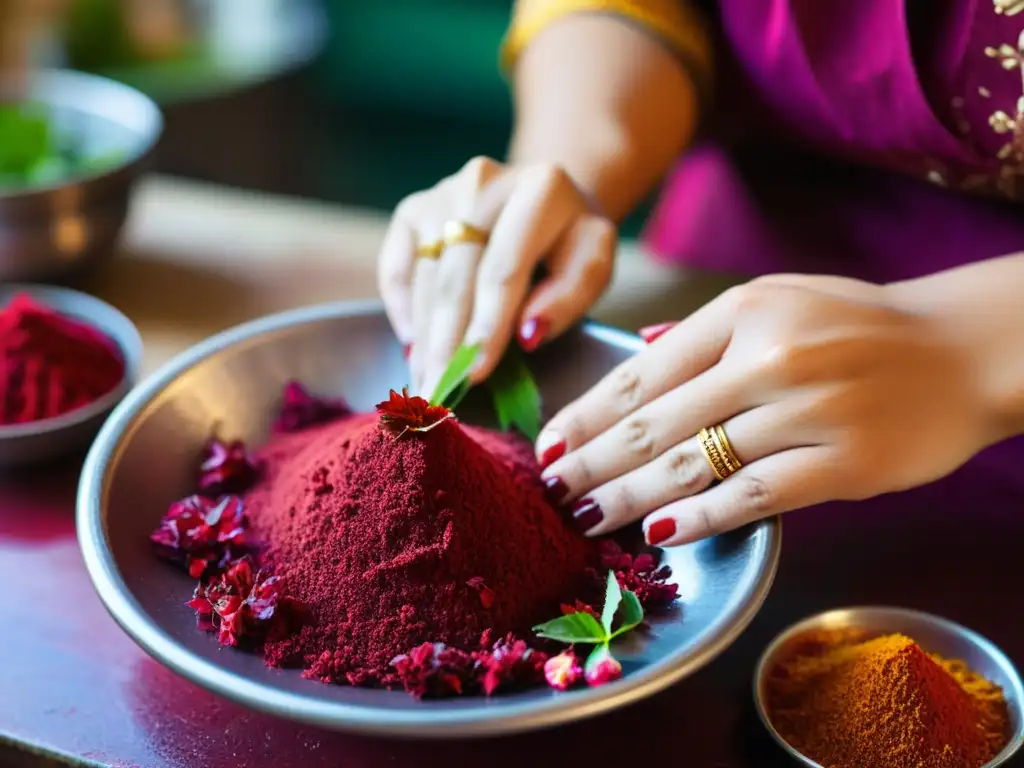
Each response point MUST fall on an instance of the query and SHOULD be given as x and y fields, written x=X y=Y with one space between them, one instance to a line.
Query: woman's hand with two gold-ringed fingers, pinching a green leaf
x=482 y=294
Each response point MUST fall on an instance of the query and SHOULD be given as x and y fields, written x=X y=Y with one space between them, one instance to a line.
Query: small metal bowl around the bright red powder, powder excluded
x=48 y=440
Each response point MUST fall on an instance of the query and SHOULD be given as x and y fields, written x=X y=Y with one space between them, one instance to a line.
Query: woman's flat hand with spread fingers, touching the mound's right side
x=827 y=389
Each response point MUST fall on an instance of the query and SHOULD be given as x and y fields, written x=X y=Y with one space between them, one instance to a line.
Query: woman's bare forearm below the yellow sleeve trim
x=606 y=101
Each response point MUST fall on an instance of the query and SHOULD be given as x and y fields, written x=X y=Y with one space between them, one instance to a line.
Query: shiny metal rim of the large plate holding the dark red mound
x=475 y=722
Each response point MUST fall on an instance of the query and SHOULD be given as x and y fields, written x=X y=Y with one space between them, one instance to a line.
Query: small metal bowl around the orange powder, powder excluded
x=934 y=634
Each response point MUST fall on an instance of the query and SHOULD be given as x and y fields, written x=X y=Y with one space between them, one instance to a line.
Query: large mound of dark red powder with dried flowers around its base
x=392 y=549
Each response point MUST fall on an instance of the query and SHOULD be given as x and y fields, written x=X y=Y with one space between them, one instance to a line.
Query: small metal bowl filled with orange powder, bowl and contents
x=886 y=688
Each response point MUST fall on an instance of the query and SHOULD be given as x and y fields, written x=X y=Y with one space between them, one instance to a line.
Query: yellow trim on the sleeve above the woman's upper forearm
x=673 y=21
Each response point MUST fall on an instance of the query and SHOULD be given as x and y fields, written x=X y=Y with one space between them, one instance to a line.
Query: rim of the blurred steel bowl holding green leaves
x=138 y=159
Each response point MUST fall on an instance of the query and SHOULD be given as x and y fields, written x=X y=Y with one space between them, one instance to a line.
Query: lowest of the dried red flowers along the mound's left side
x=243 y=605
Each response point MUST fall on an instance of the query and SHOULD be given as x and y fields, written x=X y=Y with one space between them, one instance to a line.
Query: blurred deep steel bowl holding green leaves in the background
x=53 y=233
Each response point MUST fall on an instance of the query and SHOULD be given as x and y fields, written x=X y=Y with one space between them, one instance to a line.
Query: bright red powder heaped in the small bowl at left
x=50 y=364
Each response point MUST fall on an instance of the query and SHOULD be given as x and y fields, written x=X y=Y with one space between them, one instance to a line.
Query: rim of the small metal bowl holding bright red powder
x=131 y=346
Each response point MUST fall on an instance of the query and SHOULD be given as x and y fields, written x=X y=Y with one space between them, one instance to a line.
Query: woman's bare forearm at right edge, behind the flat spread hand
x=980 y=309
